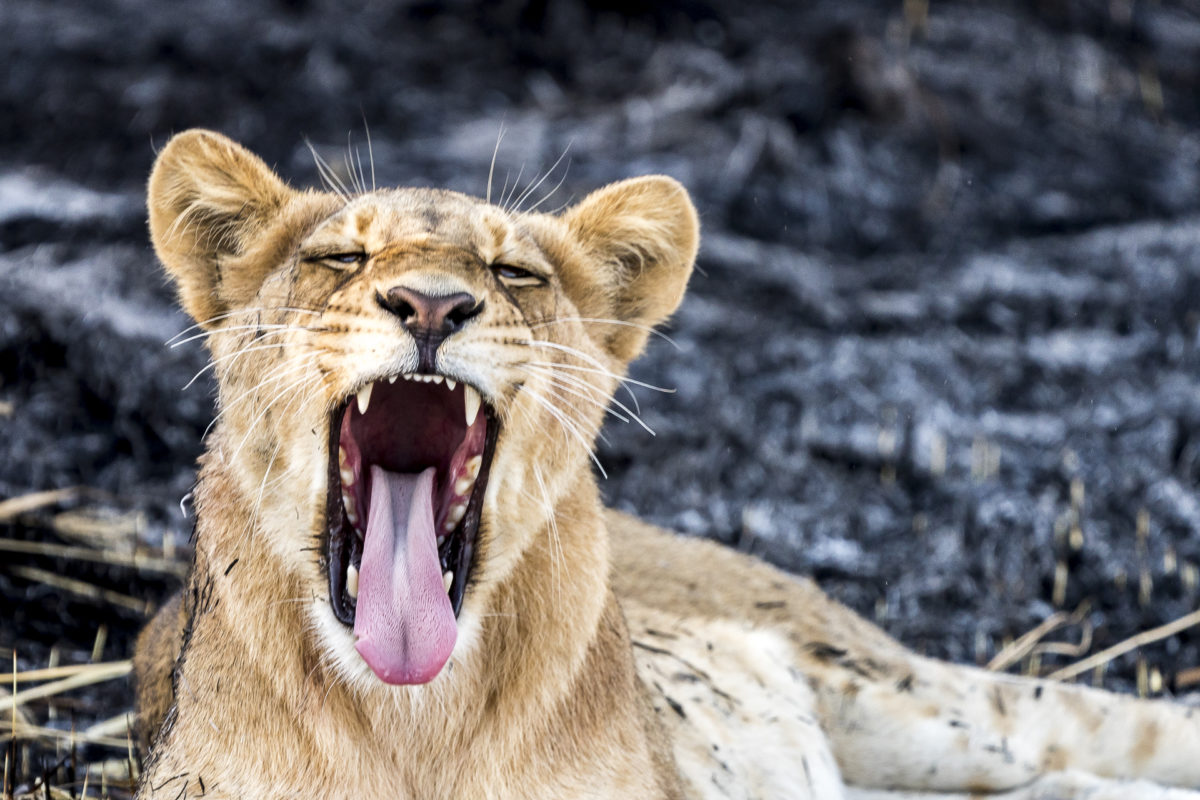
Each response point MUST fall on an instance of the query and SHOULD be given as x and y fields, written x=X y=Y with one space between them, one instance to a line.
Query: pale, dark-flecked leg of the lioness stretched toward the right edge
x=932 y=726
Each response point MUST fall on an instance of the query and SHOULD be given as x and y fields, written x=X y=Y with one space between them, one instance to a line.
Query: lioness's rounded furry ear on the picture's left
x=209 y=200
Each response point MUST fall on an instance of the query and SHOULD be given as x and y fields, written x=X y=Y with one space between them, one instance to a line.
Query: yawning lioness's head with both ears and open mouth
x=411 y=381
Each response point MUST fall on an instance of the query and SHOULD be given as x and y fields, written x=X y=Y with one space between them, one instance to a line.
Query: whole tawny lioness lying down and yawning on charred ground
x=405 y=584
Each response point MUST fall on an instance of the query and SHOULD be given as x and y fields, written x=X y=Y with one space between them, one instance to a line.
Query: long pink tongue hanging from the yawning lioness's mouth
x=405 y=624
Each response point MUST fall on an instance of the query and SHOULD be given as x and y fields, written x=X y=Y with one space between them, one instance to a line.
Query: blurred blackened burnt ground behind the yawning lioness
x=941 y=352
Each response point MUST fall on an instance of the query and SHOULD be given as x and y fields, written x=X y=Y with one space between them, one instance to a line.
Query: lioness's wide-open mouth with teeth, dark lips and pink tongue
x=410 y=460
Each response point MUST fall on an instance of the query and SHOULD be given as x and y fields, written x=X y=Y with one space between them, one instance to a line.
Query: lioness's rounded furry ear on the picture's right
x=645 y=232
